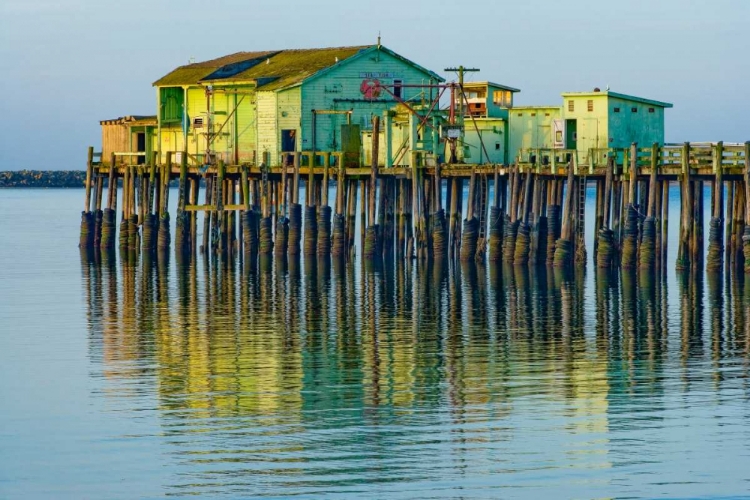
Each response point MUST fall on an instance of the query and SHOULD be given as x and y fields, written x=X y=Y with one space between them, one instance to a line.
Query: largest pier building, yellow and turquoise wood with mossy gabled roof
x=253 y=106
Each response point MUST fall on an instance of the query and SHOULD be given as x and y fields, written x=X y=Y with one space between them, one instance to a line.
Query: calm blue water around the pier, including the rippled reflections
x=305 y=379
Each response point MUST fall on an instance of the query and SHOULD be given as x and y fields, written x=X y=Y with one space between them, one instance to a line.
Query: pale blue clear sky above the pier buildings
x=68 y=64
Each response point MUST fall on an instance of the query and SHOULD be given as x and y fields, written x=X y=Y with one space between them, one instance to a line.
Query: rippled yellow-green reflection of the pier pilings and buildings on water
x=306 y=375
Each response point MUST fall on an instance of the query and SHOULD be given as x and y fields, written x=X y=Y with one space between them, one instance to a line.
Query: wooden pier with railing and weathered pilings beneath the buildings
x=530 y=213
